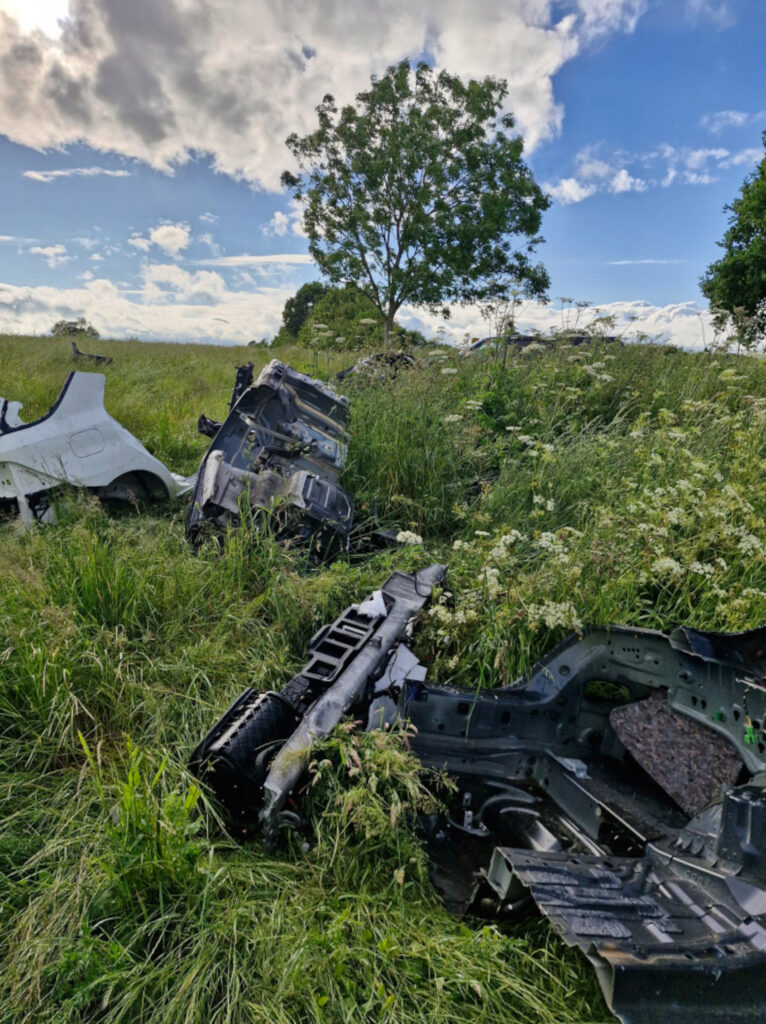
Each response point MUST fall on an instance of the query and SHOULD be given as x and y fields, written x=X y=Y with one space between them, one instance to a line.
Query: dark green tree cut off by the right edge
x=736 y=285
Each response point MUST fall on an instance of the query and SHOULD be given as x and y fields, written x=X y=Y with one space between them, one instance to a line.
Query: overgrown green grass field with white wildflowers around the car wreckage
x=594 y=485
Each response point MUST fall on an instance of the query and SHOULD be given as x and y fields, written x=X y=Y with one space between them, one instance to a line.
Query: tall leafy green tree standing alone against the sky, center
x=417 y=194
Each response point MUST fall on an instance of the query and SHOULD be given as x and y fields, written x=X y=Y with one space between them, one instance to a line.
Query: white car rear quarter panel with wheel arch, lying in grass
x=76 y=443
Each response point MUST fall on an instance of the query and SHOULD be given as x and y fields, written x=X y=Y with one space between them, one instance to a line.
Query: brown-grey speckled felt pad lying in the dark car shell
x=688 y=760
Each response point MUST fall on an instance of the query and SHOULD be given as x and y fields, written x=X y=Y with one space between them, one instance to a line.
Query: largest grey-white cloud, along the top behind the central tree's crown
x=162 y=82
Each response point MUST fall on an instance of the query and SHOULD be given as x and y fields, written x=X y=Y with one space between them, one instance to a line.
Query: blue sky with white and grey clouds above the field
x=142 y=144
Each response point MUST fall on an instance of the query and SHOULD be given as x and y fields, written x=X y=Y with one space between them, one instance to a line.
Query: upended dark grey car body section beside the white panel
x=282 y=448
